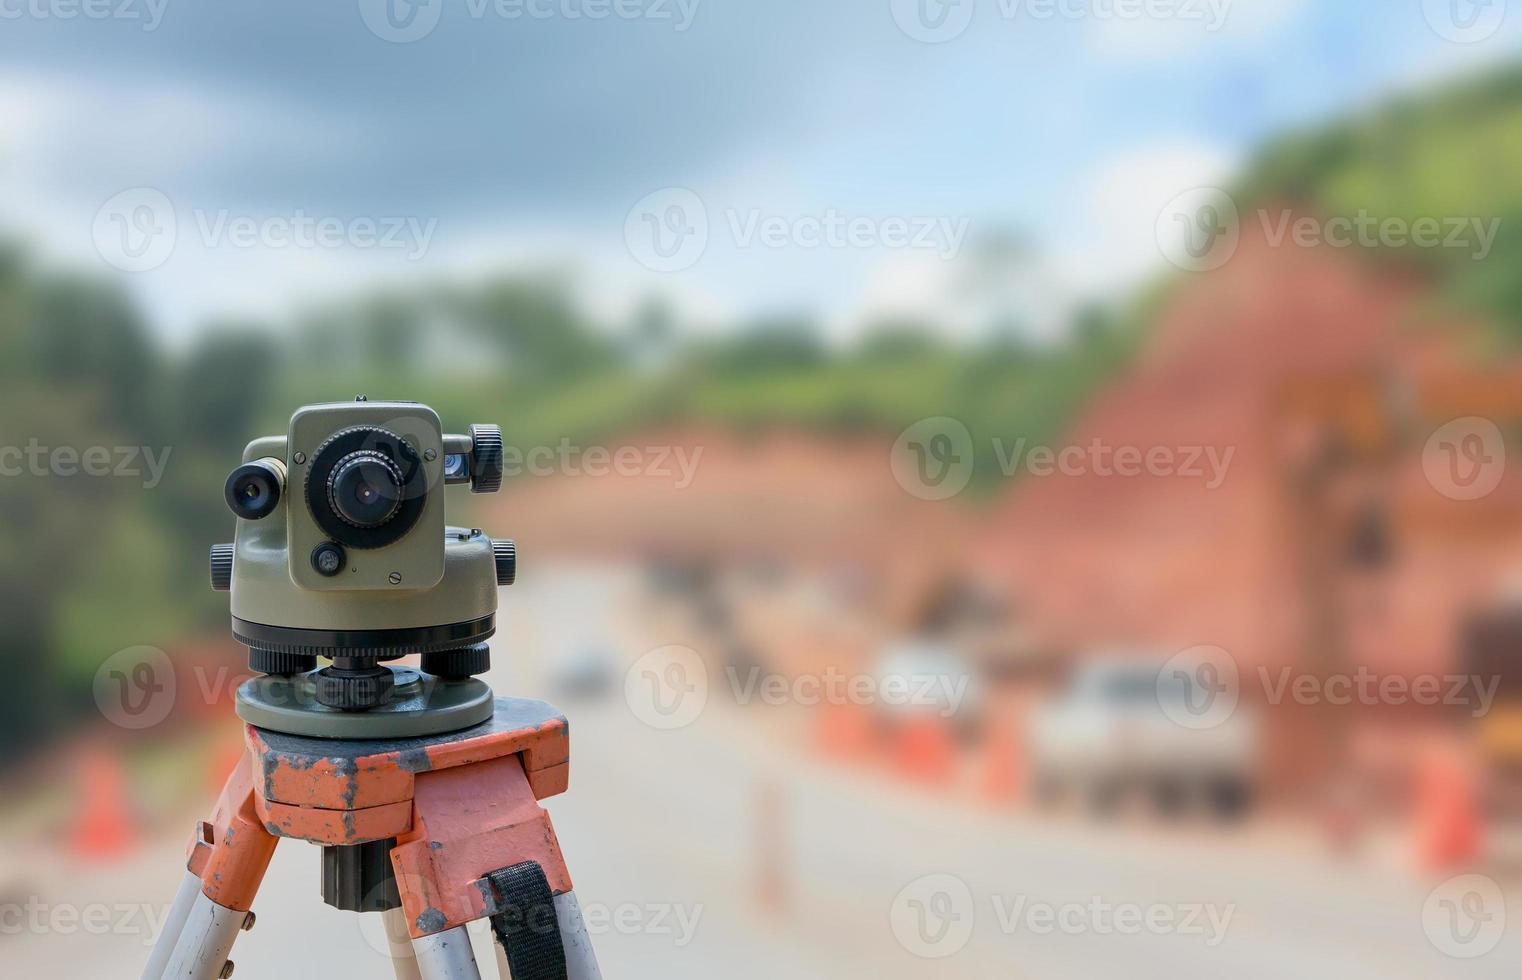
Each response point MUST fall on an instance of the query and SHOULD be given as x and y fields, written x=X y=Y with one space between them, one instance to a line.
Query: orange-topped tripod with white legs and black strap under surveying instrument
x=435 y=832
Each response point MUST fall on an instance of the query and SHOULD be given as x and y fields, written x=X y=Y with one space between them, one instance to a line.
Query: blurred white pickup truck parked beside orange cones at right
x=1118 y=733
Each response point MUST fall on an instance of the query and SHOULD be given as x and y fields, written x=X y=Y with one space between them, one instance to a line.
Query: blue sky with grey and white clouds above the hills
x=747 y=159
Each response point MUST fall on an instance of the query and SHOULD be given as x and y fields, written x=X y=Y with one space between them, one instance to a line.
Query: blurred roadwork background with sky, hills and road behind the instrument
x=1007 y=488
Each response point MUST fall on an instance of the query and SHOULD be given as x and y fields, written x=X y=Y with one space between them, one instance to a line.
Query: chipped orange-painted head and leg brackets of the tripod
x=460 y=809
